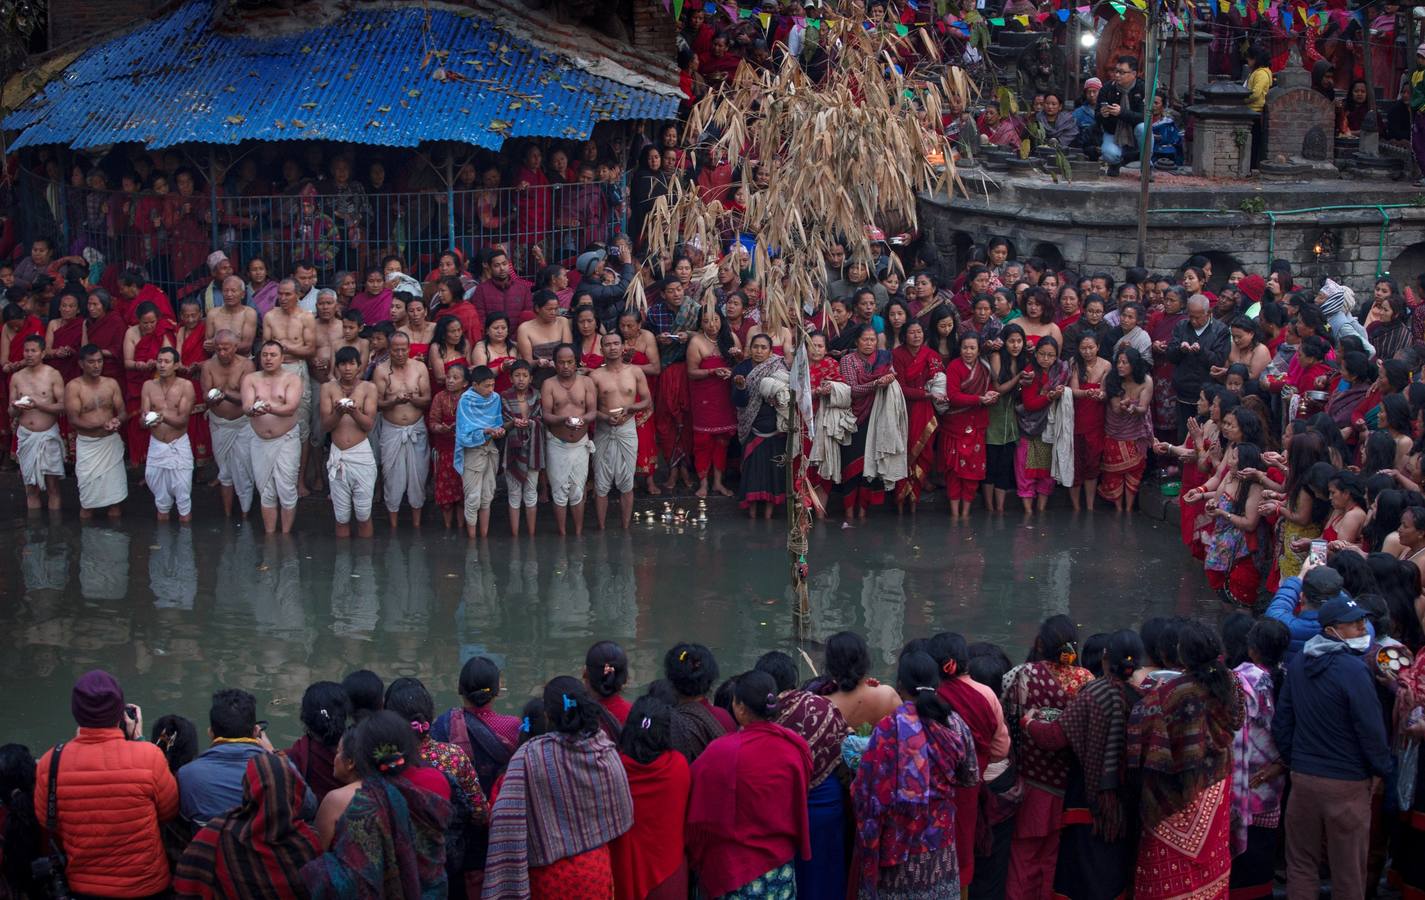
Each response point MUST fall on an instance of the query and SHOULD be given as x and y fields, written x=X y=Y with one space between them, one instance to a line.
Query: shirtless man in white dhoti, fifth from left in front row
x=271 y=401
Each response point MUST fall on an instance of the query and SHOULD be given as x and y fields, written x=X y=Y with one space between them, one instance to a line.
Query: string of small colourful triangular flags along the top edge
x=1289 y=14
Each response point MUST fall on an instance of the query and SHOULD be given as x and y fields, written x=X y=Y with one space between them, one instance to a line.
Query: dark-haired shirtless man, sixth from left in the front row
x=348 y=414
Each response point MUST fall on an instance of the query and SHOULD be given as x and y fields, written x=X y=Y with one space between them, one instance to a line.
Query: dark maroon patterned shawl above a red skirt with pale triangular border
x=1181 y=738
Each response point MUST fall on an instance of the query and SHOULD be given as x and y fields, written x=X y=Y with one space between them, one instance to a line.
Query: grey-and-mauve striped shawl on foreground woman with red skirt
x=562 y=797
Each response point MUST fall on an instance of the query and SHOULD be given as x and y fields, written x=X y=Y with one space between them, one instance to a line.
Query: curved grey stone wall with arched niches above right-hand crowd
x=1097 y=229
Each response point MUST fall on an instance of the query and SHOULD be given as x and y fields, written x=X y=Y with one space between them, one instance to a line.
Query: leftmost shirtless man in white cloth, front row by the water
x=36 y=405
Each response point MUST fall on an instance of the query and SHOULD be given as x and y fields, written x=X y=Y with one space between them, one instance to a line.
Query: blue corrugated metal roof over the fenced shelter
x=358 y=80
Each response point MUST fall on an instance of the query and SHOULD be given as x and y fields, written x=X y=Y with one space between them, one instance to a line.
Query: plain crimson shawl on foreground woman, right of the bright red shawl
x=747 y=814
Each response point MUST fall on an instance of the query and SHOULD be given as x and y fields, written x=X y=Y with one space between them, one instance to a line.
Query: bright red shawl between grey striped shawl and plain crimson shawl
x=651 y=852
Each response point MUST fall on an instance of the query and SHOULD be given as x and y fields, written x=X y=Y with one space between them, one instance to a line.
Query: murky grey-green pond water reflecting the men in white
x=180 y=612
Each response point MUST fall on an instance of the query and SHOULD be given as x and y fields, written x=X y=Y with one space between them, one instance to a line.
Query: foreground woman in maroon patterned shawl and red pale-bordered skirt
x=1181 y=738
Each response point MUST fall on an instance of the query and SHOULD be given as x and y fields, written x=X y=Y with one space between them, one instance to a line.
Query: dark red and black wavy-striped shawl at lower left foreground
x=256 y=852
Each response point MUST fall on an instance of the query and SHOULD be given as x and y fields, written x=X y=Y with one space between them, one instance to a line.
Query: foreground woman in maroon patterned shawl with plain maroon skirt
x=1041 y=689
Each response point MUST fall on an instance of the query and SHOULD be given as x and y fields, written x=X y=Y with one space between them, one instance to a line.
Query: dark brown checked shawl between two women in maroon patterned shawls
x=1097 y=726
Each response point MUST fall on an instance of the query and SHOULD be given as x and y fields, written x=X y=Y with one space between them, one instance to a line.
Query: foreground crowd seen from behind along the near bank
x=1172 y=761
